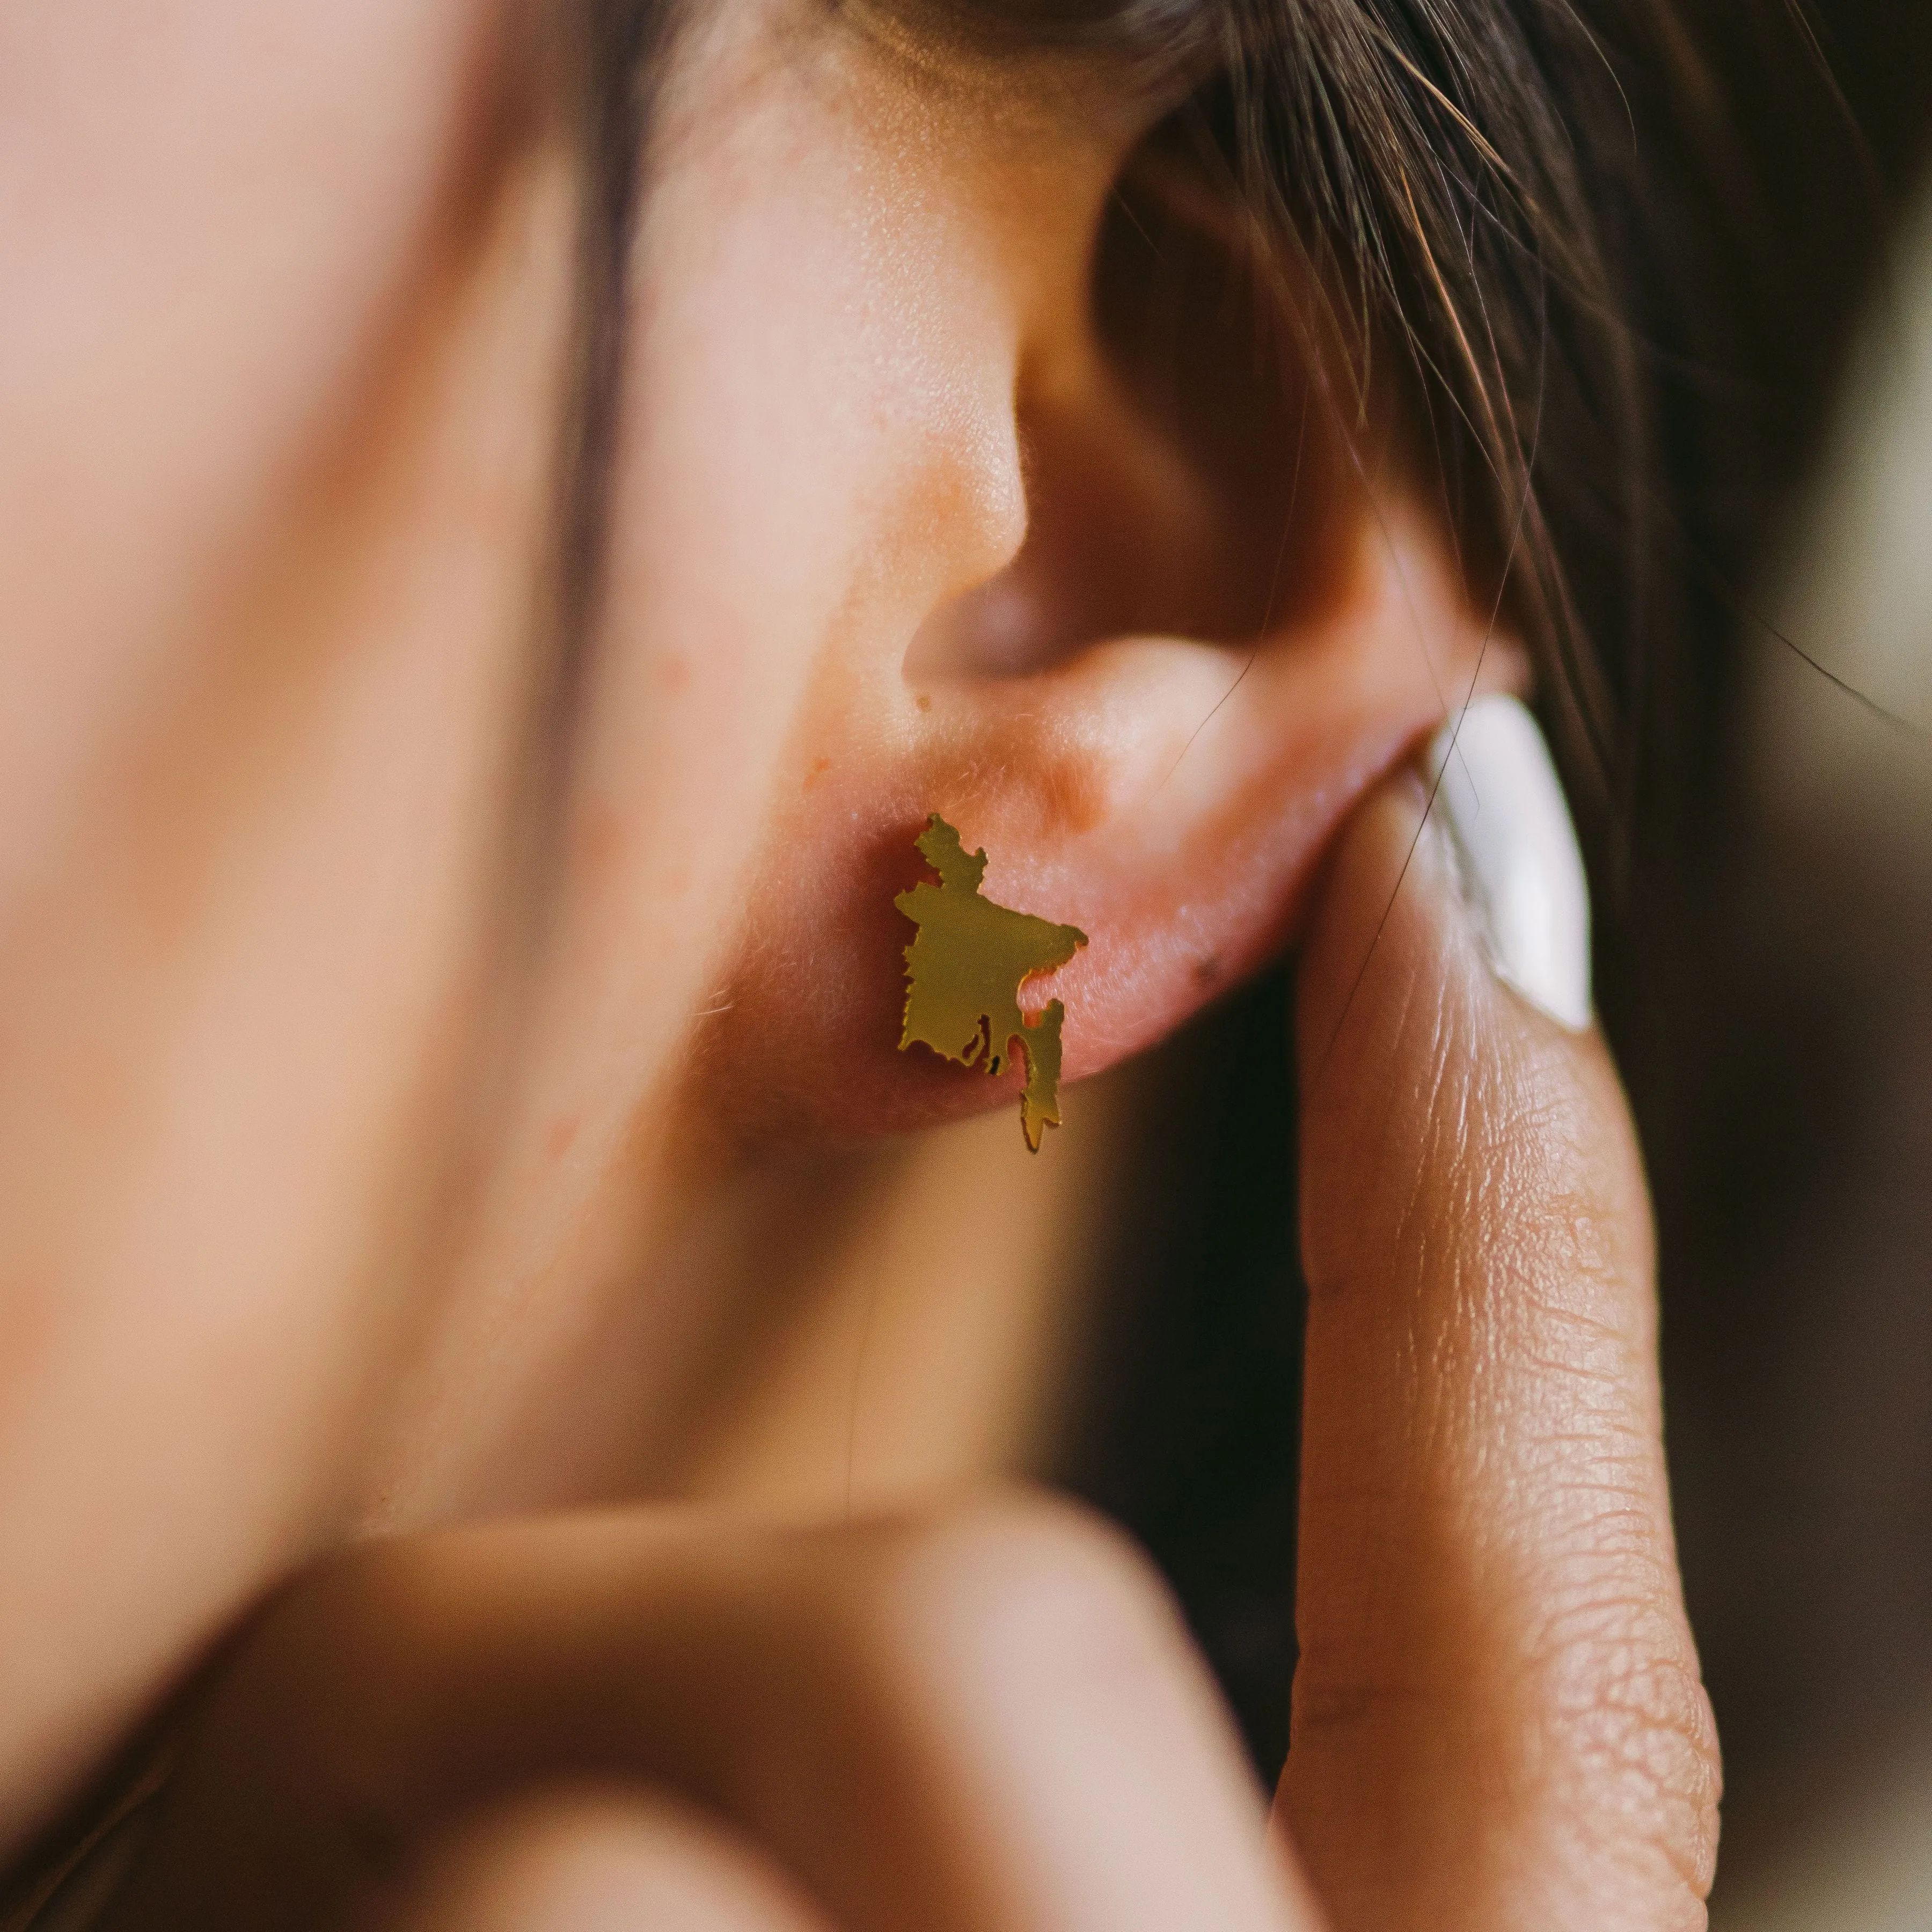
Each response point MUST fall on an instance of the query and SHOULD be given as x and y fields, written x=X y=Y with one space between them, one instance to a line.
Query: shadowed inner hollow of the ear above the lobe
x=1181 y=470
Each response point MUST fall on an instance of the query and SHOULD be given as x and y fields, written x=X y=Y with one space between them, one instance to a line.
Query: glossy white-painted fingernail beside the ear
x=1498 y=797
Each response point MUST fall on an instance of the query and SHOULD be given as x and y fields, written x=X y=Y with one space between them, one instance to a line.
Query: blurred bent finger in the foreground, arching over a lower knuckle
x=992 y=1722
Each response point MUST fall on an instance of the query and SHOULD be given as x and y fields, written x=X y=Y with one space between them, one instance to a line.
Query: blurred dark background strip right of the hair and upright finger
x=1790 y=1077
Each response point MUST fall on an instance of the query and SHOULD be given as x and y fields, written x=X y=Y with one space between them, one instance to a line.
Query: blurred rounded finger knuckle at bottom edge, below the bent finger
x=592 y=1861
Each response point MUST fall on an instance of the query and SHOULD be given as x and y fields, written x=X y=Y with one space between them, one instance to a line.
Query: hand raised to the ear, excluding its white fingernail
x=992 y=1722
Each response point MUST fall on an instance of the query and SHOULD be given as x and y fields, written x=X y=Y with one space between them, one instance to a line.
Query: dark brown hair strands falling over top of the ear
x=1506 y=225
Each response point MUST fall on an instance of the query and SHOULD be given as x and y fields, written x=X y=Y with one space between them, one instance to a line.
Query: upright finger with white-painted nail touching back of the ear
x=1498 y=1715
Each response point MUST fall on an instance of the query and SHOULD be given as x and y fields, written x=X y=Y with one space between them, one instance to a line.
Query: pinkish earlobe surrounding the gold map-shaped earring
x=1170 y=799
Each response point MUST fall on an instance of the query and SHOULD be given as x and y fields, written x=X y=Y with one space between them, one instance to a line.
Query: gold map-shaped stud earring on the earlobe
x=965 y=969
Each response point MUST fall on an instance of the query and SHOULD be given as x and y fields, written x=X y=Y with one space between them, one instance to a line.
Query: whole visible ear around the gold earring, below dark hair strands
x=1127 y=590
